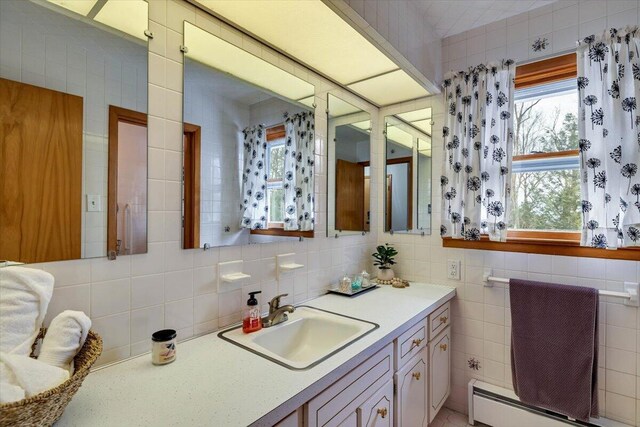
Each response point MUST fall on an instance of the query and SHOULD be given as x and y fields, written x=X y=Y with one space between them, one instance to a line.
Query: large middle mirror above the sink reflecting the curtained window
x=248 y=147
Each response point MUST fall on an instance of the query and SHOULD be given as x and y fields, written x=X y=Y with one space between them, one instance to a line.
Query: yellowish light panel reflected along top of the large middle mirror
x=210 y=50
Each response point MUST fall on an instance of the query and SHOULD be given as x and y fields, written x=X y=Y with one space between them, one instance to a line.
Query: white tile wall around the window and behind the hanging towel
x=481 y=322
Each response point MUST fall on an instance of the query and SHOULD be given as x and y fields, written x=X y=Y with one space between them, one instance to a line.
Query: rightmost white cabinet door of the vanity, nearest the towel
x=439 y=371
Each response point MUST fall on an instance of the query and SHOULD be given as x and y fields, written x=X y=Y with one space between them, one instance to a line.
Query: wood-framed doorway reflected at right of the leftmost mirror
x=127 y=197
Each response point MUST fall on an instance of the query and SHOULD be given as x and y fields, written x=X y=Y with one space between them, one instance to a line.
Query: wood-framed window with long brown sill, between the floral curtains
x=545 y=192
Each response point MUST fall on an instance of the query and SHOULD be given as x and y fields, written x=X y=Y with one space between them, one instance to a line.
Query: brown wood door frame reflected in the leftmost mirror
x=116 y=115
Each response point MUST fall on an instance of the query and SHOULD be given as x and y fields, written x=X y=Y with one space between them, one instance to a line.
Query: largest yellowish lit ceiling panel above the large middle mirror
x=310 y=32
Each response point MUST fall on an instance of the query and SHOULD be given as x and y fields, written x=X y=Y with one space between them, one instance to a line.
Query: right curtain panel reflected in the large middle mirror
x=299 y=158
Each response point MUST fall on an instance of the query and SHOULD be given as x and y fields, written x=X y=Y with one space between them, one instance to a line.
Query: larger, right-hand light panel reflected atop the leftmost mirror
x=128 y=16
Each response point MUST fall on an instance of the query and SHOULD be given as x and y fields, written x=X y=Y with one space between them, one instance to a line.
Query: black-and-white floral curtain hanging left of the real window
x=478 y=142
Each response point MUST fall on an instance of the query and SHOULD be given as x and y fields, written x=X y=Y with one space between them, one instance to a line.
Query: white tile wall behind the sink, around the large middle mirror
x=170 y=287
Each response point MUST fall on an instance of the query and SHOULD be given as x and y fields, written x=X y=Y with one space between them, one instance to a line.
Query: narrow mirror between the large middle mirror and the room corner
x=348 y=170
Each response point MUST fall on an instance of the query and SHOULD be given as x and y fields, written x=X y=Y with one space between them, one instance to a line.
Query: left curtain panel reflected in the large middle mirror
x=254 y=179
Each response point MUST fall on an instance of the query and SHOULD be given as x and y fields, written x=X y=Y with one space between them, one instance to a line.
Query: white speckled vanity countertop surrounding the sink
x=216 y=383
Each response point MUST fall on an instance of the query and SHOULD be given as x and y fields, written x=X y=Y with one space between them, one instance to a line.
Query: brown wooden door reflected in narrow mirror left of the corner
x=349 y=196
